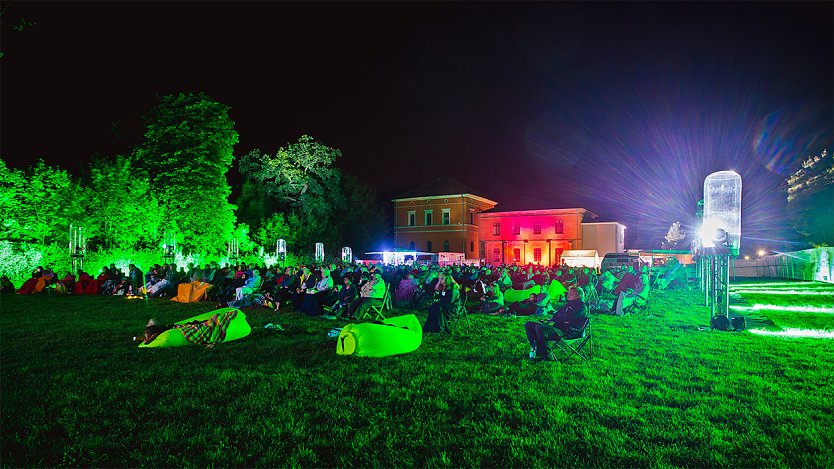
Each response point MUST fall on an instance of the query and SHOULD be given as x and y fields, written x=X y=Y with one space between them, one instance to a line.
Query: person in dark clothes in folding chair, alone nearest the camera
x=567 y=323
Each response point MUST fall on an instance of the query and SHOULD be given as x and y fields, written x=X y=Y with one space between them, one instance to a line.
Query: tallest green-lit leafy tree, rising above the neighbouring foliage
x=186 y=154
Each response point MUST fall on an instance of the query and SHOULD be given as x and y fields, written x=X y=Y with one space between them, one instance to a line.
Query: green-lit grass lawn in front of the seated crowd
x=75 y=391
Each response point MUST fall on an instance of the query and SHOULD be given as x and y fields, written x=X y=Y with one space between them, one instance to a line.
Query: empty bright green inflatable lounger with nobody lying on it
x=394 y=336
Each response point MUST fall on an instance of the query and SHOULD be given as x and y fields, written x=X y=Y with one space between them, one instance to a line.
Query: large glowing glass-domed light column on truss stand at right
x=720 y=240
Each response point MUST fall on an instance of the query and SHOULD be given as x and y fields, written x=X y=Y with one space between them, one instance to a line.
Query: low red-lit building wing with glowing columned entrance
x=530 y=236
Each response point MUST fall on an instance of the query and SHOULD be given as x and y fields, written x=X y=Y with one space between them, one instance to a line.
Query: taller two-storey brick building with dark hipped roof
x=440 y=223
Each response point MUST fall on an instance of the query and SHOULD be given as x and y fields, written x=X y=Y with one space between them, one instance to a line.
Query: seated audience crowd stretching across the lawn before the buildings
x=349 y=291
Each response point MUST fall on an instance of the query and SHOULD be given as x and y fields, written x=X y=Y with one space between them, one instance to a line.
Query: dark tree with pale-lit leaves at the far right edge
x=810 y=194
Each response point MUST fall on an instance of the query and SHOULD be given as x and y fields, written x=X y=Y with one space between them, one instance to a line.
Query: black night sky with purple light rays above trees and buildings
x=620 y=108
